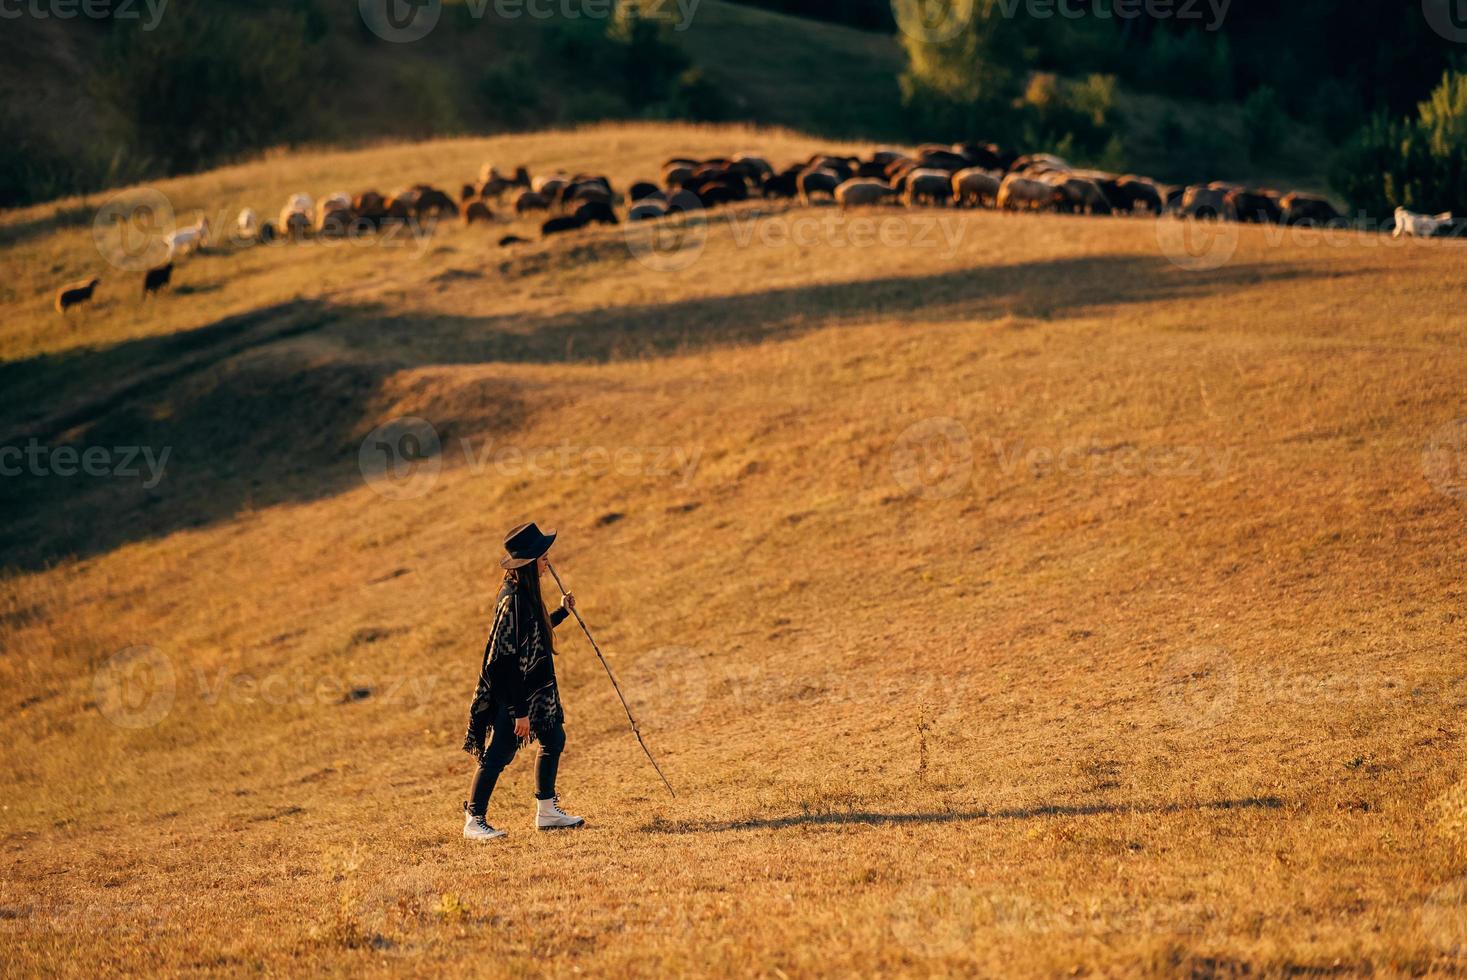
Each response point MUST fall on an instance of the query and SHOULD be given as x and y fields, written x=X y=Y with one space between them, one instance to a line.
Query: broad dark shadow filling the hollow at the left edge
x=161 y=435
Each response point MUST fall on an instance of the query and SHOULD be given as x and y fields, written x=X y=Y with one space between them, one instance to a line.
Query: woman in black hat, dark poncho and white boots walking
x=517 y=696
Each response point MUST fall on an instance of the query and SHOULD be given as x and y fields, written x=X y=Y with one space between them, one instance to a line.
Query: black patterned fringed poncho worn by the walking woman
x=519 y=671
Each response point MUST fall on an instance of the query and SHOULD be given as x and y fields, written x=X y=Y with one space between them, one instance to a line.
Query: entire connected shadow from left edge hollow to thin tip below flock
x=250 y=422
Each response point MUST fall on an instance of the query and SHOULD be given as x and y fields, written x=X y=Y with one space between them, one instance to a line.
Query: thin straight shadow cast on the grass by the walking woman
x=954 y=816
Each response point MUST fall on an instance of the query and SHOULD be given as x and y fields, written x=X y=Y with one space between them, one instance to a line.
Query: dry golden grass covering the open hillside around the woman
x=1180 y=699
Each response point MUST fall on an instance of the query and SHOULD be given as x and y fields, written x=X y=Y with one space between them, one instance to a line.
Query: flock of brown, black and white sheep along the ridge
x=934 y=175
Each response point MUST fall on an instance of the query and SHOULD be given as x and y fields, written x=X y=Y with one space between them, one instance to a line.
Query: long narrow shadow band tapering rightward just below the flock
x=1042 y=290
